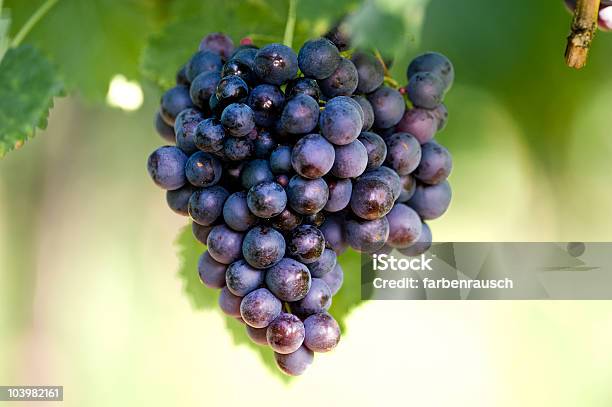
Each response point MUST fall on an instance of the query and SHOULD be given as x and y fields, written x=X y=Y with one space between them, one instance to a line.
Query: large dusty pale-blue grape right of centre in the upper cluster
x=340 y=122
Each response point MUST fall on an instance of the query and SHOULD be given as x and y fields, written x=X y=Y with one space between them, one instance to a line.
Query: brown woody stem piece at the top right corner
x=584 y=26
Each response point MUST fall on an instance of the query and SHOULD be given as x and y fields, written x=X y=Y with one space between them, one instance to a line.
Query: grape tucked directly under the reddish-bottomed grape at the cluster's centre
x=306 y=196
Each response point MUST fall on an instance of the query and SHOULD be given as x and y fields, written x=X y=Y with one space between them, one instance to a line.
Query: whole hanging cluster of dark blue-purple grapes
x=282 y=161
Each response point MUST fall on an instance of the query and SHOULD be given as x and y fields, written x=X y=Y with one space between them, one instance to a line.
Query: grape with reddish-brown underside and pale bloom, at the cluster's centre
x=312 y=156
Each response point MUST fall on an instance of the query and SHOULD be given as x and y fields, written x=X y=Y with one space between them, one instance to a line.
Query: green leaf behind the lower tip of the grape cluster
x=202 y=298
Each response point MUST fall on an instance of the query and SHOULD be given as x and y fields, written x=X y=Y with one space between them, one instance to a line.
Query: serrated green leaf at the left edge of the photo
x=28 y=84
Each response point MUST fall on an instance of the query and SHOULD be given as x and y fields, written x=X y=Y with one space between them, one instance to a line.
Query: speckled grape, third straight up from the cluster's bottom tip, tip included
x=289 y=280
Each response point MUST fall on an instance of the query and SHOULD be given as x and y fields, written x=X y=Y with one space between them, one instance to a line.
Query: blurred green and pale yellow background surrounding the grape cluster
x=89 y=293
